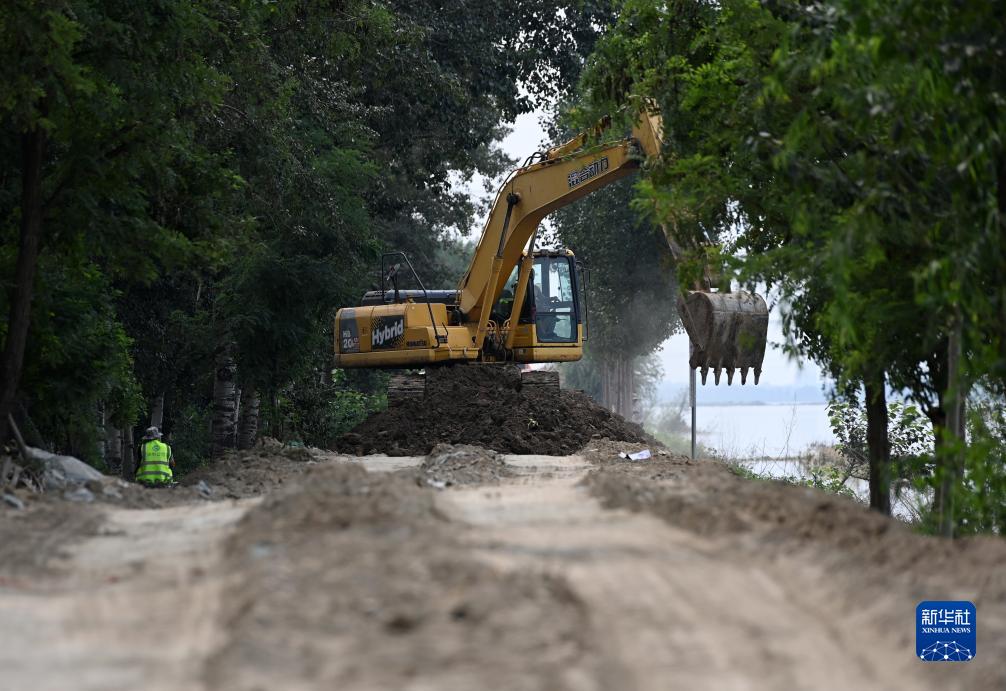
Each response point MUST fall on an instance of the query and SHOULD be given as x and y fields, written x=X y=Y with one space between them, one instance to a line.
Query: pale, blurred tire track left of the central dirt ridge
x=135 y=607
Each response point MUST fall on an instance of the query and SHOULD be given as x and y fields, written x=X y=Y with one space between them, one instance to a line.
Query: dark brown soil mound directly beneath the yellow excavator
x=486 y=406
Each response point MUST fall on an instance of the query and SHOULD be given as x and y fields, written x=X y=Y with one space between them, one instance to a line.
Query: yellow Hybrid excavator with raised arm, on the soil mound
x=519 y=304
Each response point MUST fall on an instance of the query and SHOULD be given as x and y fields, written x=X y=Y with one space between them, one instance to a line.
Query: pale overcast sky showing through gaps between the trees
x=779 y=370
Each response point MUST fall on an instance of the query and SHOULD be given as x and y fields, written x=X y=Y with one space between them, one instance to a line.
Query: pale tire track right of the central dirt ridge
x=672 y=609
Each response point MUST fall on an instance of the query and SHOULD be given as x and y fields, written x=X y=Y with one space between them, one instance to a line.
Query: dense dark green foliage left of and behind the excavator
x=228 y=172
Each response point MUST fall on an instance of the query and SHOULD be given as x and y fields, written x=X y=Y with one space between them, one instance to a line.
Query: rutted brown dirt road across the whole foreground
x=568 y=573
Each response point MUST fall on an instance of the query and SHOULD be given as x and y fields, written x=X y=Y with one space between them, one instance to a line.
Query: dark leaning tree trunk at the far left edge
x=33 y=153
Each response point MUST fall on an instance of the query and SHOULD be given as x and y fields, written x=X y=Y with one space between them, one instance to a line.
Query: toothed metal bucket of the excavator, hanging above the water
x=729 y=331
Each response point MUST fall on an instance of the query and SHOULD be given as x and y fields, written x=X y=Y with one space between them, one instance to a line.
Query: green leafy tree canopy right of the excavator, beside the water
x=828 y=141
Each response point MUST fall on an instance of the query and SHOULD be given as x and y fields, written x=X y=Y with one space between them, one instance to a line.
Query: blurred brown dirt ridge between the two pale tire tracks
x=354 y=581
